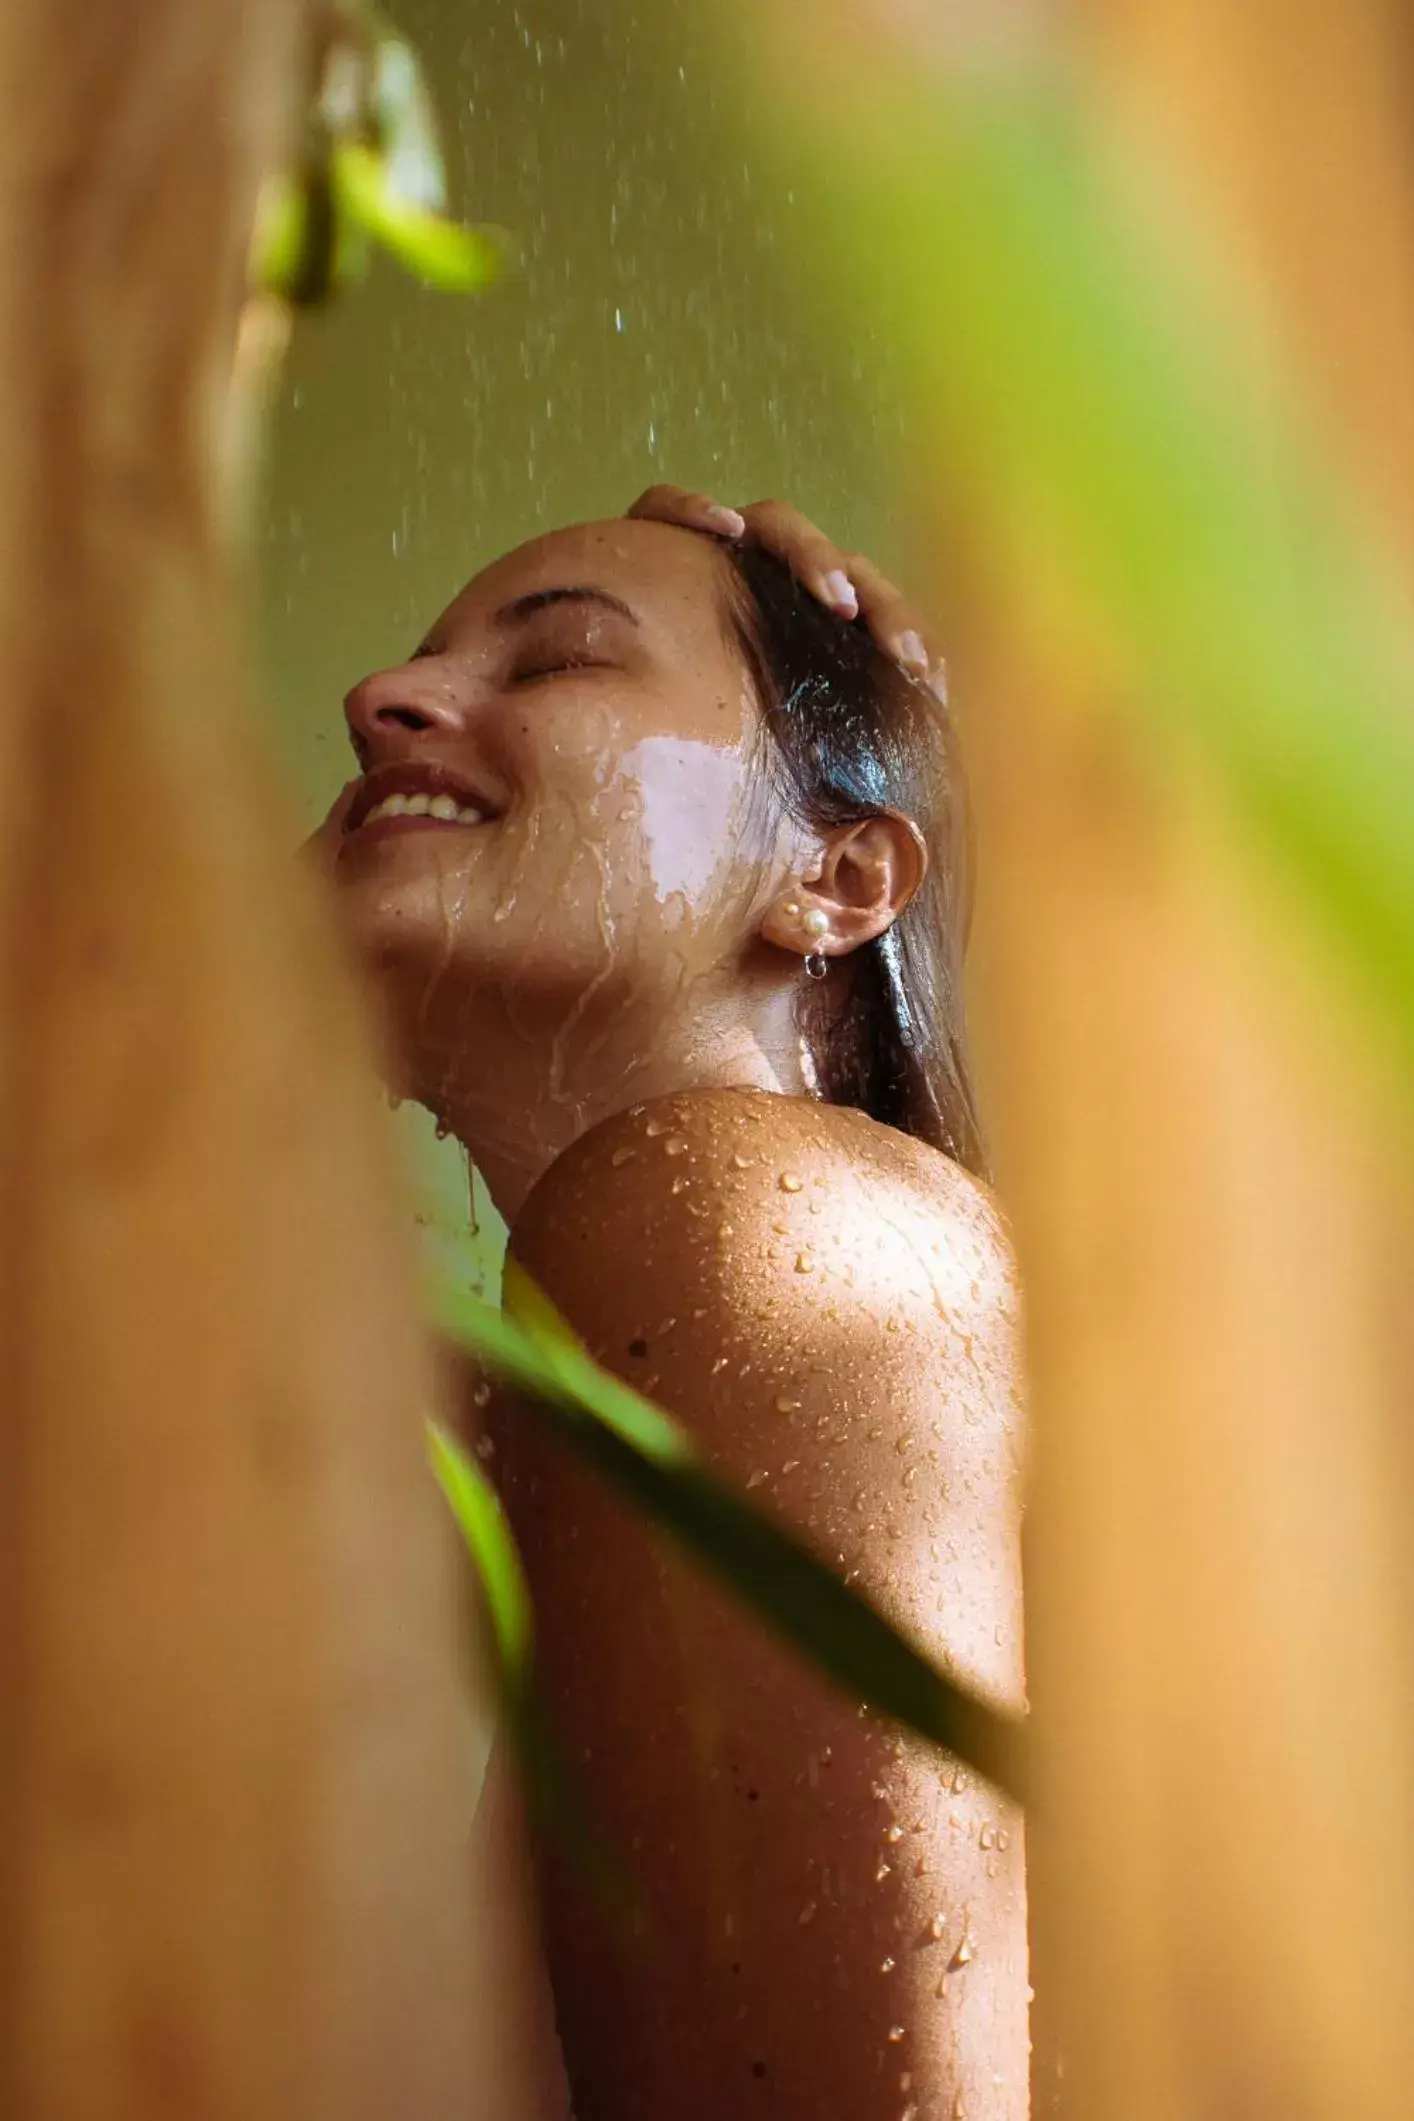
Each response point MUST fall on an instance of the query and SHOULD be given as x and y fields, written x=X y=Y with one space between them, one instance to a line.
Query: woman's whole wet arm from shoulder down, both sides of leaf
x=834 y=1904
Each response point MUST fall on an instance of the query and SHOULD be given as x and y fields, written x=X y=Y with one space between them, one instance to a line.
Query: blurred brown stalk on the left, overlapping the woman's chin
x=232 y=1776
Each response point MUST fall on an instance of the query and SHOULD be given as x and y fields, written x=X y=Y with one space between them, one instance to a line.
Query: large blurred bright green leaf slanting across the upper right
x=1103 y=393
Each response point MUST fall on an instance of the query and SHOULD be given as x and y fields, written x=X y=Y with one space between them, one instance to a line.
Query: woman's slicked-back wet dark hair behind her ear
x=849 y=735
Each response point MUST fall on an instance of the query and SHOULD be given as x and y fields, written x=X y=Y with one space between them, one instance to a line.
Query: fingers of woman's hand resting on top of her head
x=845 y=582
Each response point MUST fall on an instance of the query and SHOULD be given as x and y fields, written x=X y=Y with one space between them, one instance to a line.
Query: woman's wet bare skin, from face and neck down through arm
x=593 y=983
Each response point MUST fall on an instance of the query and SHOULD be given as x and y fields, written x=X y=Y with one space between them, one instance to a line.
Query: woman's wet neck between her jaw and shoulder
x=531 y=1098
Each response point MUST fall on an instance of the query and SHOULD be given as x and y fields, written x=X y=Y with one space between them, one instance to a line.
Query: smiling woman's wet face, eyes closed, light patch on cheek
x=556 y=820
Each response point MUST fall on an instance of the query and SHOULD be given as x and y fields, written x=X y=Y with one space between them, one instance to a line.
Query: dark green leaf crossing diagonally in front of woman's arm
x=652 y=1460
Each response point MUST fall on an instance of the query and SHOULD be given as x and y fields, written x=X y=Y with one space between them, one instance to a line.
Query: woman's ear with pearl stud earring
x=864 y=879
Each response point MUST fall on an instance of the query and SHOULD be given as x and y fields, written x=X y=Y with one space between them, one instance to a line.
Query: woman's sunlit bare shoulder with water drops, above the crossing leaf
x=832 y=1310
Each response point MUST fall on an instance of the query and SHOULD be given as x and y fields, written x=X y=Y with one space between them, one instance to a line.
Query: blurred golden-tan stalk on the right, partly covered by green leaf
x=1199 y=1138
